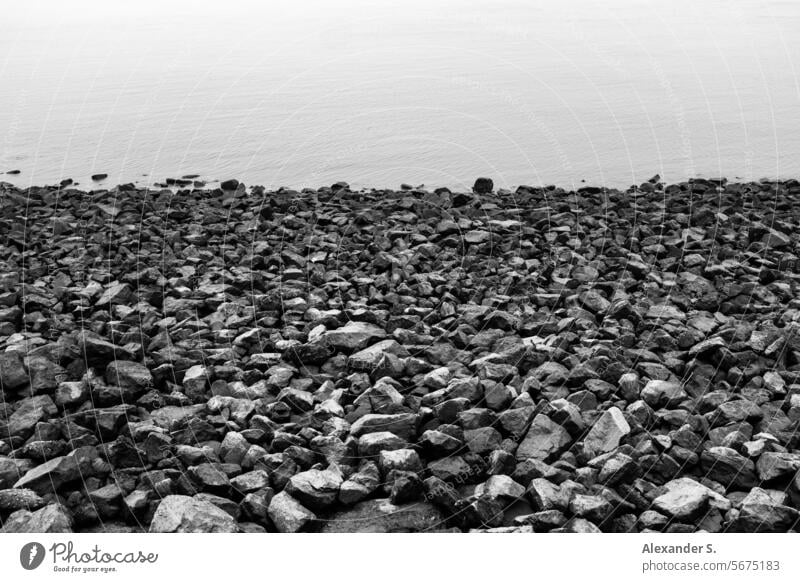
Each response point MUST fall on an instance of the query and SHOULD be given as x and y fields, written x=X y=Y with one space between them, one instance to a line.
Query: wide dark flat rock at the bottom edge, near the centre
x=381 y=516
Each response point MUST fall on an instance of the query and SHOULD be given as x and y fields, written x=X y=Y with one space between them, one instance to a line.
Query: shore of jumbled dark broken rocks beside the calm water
x=230 y=359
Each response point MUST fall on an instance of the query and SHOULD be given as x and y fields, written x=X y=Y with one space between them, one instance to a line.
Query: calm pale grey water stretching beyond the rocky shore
x=426 y=91
